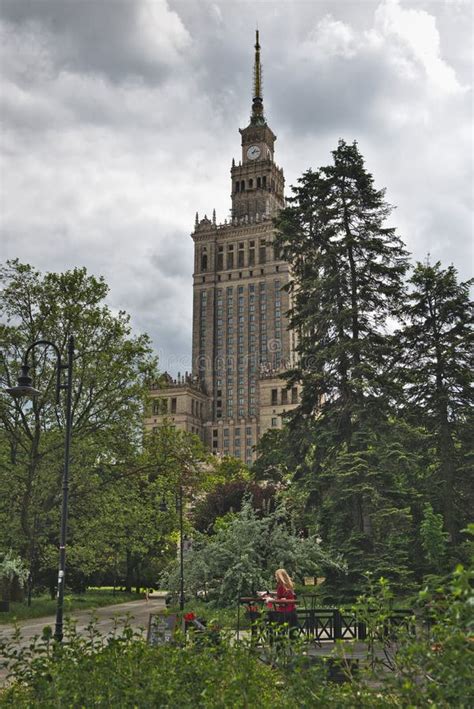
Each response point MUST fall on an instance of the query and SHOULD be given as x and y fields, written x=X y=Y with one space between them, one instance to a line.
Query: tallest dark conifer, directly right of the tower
x=348 y=270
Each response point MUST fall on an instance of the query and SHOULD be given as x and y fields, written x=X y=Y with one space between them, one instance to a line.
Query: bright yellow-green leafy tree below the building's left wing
x=120 y=532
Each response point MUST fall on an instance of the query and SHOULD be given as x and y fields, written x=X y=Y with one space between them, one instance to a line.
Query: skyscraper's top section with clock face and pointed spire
x=257 y=182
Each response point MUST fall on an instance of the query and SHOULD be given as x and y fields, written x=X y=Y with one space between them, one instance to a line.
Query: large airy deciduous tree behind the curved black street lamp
x=112 y=370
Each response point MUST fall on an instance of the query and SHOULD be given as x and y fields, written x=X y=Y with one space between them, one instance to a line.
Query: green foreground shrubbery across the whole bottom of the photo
x=432 y=667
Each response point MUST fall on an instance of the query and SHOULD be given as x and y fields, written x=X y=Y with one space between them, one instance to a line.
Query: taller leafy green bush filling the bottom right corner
x=431 y=659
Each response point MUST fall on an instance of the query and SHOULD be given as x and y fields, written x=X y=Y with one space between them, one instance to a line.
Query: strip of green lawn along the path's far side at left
x=42 y=606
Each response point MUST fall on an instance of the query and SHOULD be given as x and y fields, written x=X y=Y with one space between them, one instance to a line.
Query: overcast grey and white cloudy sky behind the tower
x=120 y=119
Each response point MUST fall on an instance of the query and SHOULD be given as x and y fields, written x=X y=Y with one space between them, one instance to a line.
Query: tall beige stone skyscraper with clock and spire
x=241 y=343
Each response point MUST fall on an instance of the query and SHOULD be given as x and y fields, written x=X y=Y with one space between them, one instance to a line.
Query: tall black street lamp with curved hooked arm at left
x=25 y=388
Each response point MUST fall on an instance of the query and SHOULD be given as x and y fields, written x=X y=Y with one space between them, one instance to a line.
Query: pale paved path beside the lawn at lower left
x=139 y=612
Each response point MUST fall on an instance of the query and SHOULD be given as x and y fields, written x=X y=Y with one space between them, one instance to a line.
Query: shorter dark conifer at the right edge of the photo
x=437 y=373
